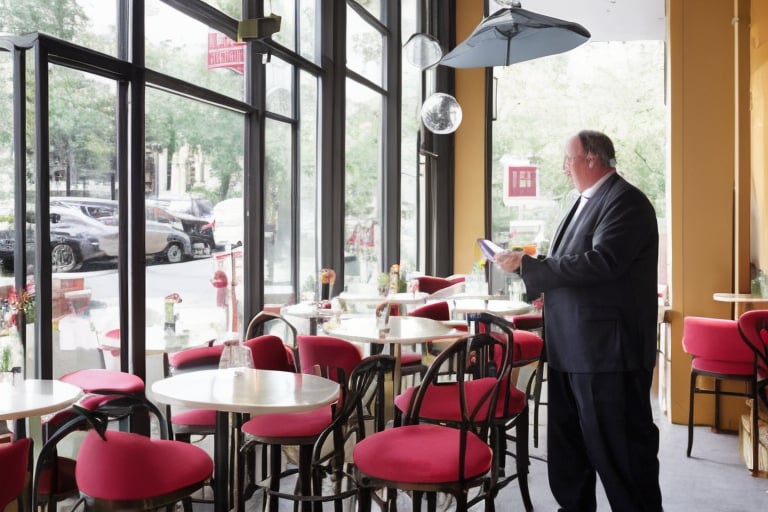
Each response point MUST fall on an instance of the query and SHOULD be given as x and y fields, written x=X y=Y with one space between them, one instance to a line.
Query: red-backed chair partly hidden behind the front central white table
x=329 y=357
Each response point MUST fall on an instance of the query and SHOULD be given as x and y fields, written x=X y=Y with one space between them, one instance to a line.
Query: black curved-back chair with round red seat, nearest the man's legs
x=443 y=444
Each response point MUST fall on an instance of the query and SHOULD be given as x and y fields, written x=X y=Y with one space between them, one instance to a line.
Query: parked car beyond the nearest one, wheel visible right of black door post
x=166 y=236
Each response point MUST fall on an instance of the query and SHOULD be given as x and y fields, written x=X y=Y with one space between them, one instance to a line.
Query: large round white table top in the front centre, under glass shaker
x=246 y=390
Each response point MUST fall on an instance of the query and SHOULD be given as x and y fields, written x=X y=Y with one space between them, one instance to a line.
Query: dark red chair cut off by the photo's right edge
x=753 y=328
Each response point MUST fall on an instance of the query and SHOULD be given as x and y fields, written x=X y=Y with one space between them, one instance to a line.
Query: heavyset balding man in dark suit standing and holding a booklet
x=600 y=304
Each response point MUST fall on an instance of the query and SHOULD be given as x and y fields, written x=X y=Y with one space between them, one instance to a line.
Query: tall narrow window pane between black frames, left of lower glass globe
x=411 y=186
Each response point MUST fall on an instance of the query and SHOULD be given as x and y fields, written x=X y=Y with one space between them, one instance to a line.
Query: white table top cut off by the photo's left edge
x=35 y=397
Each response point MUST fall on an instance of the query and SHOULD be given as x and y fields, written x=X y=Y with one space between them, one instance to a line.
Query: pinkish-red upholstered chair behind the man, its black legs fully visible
x=717 y=353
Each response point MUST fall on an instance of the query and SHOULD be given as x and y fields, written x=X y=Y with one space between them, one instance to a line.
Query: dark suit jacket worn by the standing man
x=600 y=285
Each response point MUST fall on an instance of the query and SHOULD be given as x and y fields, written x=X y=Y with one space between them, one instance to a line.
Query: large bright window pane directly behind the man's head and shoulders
x=540 y=103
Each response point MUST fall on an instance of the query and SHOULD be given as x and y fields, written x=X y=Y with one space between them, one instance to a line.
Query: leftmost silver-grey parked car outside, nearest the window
x=75 y=239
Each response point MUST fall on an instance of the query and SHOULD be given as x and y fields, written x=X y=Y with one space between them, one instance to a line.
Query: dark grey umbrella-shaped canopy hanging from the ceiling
x=515 y=35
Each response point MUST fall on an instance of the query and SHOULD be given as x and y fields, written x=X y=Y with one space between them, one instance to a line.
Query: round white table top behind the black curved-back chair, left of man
x=404 y=330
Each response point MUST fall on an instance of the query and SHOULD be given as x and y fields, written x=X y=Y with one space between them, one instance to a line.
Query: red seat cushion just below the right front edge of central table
x=296 y=424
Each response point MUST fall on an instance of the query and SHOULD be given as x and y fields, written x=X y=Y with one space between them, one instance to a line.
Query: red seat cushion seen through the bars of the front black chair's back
x=441 y=402
